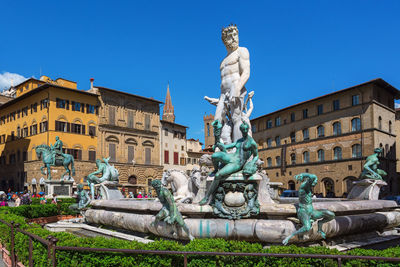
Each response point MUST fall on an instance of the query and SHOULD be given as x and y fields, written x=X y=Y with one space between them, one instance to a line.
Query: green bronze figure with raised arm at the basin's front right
x=306 y=213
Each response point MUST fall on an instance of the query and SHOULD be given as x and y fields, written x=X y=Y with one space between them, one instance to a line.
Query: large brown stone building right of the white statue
x=331 y=136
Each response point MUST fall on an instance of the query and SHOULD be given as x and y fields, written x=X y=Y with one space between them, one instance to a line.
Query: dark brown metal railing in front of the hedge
x=51 y=243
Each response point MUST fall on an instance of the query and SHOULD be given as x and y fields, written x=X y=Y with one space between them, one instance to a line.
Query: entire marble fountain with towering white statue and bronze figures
x=231 y=197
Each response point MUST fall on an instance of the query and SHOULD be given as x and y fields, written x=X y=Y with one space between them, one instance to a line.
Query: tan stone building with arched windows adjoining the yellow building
x=129 y=133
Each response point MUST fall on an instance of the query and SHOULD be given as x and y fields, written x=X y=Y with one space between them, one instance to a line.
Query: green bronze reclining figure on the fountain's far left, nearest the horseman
x=108 y=173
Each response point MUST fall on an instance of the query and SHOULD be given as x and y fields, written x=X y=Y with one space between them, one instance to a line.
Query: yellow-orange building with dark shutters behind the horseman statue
x=41 y=110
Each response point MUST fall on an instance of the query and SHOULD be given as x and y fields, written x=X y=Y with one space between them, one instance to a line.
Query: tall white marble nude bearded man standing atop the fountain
x=235 y=71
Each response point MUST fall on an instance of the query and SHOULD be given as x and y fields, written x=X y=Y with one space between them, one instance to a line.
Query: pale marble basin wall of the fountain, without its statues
x=275 y=221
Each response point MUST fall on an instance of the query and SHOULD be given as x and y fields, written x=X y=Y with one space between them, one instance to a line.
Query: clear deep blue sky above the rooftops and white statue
x=298 y=49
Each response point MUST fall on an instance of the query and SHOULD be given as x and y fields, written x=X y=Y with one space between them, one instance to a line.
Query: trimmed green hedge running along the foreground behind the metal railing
x=71 y=258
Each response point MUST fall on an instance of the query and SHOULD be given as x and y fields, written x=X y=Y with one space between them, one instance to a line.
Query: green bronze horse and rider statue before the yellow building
x=53 y=156
